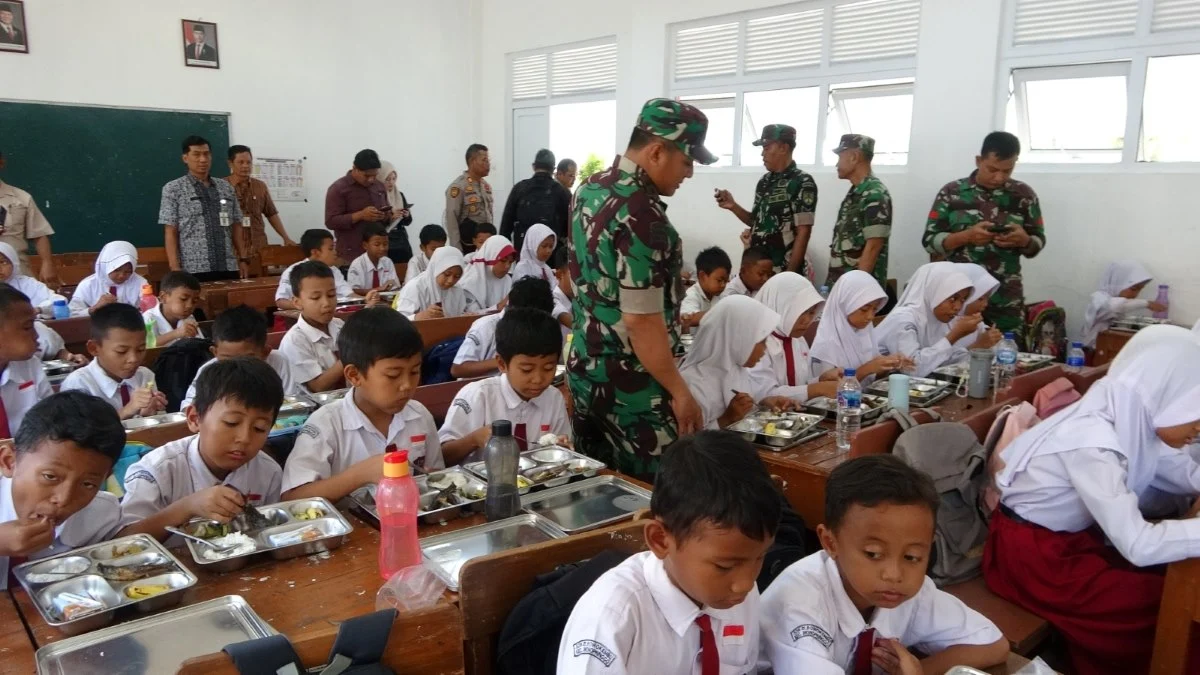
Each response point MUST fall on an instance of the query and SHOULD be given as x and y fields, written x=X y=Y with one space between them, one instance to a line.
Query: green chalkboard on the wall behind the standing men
x=97 y=172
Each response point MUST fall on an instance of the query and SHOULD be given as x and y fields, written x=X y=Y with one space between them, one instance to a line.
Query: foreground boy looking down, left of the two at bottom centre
x=691 y=605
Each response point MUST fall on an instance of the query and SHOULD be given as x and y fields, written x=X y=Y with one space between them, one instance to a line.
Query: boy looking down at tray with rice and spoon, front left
x=213 y=474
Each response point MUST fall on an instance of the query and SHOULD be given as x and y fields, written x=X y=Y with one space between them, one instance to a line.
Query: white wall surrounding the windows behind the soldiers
x=1093 y=216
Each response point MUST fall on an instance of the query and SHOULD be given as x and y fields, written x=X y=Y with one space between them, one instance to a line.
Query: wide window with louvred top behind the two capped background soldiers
x=797 y=65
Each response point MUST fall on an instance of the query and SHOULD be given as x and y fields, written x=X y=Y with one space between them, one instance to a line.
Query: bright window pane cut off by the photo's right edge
x=1169 y=133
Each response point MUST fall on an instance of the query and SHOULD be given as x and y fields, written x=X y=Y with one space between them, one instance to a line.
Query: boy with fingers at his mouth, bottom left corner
x=51 y=498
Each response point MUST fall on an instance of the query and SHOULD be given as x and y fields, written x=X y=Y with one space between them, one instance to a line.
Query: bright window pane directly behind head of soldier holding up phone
x=795 y=107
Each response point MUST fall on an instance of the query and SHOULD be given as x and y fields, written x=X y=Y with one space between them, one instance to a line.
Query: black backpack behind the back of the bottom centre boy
x=529 y=644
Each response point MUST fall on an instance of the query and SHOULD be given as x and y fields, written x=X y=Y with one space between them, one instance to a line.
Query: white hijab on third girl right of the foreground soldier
x=839 y=344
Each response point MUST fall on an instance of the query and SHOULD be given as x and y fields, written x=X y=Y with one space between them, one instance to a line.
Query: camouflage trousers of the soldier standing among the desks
x=622 y=416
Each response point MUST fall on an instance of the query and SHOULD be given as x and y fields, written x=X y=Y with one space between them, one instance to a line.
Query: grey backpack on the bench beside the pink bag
x=952 y=456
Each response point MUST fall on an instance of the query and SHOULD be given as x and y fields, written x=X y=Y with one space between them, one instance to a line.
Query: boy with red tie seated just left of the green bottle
x=116 y=373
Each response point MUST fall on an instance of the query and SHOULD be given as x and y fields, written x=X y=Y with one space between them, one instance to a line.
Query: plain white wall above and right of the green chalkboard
x=303 y=79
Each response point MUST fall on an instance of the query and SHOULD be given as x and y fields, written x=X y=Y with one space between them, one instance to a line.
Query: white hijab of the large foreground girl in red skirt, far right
x=1155 y=383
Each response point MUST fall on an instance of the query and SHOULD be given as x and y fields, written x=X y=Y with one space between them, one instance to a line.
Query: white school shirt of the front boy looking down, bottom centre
x=635 y=620
